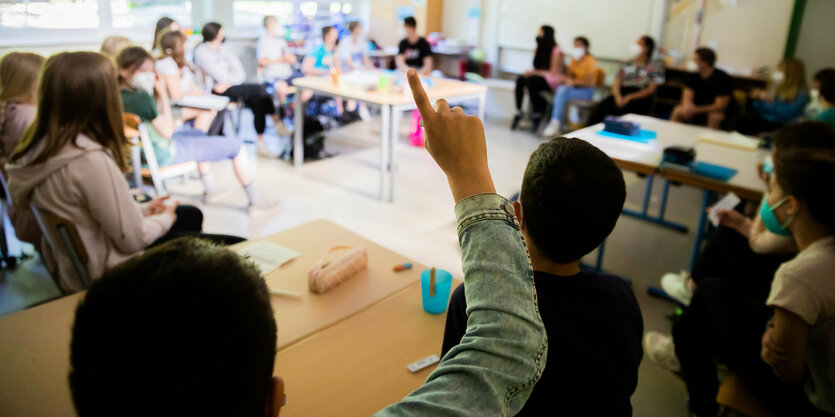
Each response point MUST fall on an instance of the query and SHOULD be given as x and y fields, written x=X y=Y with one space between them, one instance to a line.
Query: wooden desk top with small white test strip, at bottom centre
x=359 y=366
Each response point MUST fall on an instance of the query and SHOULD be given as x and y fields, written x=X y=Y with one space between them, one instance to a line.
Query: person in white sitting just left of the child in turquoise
x=275 y=60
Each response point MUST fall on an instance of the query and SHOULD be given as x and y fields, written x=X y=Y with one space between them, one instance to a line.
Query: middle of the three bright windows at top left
x=144 y=13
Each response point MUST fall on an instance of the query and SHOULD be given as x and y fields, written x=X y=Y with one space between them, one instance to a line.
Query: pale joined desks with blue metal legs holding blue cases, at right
x=645 y=159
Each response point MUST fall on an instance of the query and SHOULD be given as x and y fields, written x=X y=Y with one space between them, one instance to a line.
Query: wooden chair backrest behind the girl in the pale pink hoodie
x=62 y=237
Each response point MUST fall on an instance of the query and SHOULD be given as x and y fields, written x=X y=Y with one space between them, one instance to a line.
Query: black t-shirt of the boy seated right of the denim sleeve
x=594 y=328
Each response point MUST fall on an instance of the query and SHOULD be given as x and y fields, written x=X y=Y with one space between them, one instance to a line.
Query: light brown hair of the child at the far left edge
x=19 y=72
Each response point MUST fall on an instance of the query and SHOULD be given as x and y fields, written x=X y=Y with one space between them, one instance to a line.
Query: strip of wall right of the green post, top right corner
x=816 y=43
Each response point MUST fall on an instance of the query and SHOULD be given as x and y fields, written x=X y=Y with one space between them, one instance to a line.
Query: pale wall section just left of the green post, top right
x=749 y=36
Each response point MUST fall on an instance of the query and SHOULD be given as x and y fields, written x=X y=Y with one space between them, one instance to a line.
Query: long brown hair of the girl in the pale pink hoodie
x=78 y=94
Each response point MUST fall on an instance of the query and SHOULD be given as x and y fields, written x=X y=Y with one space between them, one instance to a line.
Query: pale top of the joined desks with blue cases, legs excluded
x=645 y=158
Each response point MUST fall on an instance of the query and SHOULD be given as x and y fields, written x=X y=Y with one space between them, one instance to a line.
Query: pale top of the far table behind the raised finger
x=443 y=88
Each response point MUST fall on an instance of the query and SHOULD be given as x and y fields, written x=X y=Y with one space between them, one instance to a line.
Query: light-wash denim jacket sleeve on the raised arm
x=502 y=355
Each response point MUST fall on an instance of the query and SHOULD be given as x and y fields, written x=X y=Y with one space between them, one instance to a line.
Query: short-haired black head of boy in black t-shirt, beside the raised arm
x=572 y=196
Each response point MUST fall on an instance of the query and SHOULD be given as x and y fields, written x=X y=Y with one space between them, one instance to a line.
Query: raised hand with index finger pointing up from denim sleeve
x=456 y=142
